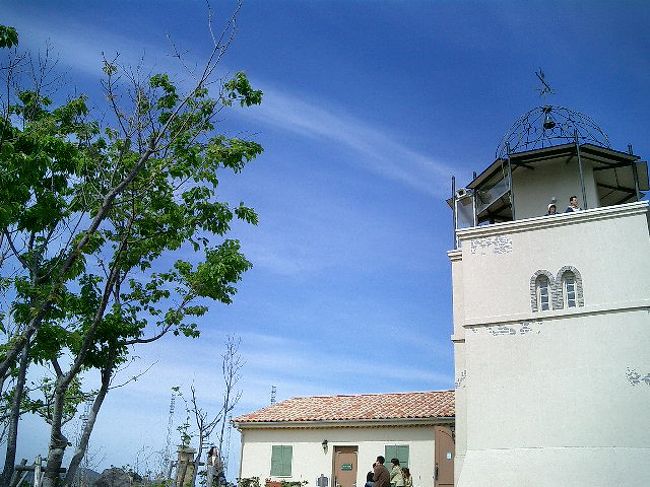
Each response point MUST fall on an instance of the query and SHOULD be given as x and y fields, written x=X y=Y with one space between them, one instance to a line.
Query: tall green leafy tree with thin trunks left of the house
x=112 y=232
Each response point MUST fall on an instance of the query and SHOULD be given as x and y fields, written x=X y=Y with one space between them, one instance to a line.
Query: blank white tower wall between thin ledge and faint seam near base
x=563 y=384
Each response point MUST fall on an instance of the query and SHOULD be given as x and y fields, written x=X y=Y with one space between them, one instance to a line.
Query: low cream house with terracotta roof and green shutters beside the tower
x=339 y=437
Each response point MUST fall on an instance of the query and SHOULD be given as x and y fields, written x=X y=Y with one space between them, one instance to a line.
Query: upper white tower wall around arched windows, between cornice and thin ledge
x=607 y=249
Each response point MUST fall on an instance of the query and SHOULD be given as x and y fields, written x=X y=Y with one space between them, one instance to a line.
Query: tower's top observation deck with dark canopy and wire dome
x=549 y=155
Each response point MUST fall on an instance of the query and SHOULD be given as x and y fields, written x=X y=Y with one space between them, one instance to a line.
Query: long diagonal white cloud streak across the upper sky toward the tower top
x=377 y=149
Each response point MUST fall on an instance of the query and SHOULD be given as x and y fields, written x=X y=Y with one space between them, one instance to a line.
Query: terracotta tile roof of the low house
x=403 y=405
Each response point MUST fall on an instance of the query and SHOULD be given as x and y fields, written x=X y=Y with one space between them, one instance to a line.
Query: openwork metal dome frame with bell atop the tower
x=550 y=125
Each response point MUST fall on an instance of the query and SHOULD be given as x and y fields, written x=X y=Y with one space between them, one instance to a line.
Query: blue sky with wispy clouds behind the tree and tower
x=369 y=108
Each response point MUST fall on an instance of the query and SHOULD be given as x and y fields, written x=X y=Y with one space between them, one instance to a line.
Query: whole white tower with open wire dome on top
x=552 y=313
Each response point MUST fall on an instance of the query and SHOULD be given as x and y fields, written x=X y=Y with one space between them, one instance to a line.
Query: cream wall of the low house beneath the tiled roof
x=309 y=461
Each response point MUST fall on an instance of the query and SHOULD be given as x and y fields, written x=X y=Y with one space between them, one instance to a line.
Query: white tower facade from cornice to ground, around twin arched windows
x=558 y=397
